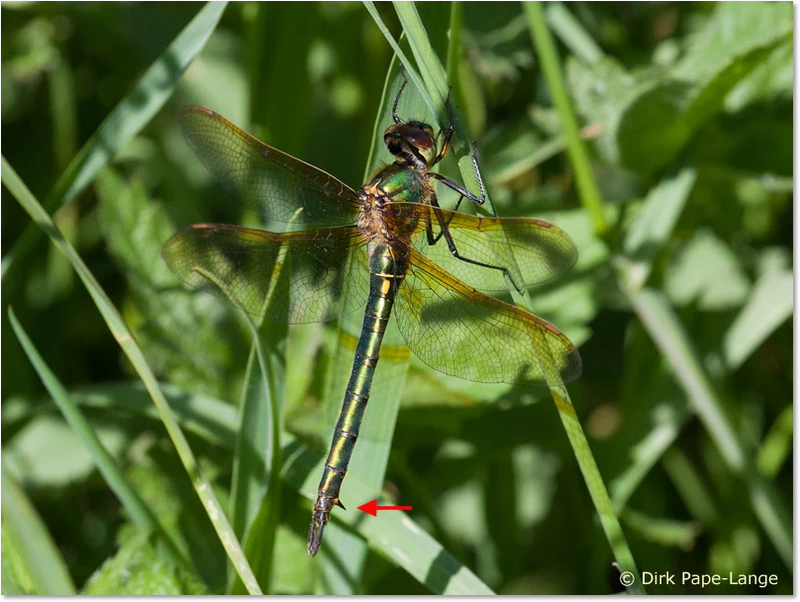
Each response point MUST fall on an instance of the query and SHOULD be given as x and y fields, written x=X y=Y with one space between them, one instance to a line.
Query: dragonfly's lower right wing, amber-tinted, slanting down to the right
x=460 y=331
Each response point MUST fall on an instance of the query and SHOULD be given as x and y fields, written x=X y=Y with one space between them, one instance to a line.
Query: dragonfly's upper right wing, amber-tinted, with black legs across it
x=541 y=250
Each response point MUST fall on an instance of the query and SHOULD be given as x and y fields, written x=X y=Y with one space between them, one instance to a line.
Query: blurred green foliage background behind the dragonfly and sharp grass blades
x=682 y=307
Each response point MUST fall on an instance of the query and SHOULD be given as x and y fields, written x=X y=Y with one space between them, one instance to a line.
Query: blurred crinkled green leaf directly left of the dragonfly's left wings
x=185 y=335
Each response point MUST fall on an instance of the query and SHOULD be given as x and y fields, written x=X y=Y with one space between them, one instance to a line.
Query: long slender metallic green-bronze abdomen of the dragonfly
x=386 y=275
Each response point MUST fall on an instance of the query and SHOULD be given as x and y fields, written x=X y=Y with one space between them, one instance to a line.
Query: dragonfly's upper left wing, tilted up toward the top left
x=263 y=178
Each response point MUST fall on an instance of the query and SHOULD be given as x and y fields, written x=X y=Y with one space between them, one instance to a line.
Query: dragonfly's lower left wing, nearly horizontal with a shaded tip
x=295 y=277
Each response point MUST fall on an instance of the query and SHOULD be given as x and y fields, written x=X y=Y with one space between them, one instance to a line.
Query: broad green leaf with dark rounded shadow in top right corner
x=649 y=115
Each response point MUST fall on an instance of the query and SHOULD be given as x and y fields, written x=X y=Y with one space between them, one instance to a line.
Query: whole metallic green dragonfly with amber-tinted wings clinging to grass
x=386 y=249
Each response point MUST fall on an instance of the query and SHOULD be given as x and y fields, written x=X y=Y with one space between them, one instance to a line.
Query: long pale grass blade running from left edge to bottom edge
x=125 y=339
